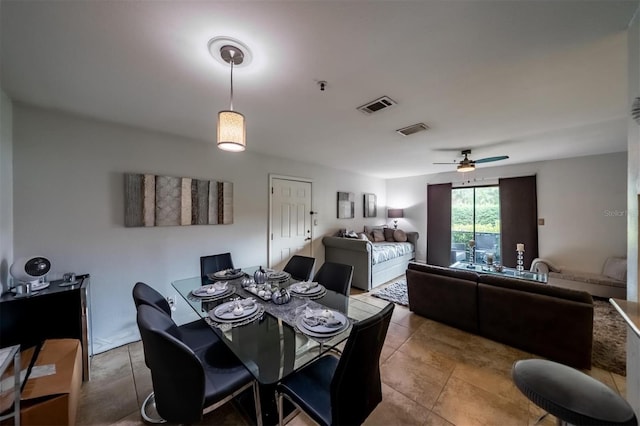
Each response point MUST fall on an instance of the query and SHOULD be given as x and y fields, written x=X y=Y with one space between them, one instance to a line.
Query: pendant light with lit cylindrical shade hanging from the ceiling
x=232 y=132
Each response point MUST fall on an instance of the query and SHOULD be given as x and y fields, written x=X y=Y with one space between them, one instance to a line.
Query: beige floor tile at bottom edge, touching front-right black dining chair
x=396 y=409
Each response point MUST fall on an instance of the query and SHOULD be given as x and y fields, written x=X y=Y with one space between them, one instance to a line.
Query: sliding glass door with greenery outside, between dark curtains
x=475 y=215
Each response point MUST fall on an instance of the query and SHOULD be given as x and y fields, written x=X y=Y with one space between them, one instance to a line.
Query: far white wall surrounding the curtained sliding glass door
x=583 y=202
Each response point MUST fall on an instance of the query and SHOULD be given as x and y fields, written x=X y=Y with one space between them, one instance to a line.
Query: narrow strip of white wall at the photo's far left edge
x=6 y=189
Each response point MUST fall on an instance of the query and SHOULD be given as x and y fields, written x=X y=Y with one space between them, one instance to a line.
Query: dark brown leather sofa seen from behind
x=553 y=322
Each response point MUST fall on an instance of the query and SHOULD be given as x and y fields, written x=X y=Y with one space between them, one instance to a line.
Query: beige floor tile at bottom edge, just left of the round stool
x=464 y=404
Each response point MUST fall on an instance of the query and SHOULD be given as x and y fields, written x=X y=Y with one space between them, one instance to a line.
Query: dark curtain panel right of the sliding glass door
x=518 y=219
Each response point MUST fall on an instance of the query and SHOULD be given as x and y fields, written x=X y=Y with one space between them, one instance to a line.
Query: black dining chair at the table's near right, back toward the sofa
x=341 y=391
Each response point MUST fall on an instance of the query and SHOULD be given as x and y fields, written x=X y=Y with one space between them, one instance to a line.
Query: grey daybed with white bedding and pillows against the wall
x=374 y=263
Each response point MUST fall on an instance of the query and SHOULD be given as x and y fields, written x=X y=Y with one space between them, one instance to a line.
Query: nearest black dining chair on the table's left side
x=188 y=384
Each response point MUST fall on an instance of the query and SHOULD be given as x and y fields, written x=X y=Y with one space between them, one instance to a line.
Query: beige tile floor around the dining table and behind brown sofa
x=432 y=374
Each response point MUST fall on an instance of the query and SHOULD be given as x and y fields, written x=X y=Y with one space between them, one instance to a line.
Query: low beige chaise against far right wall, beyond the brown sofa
x=612 y=282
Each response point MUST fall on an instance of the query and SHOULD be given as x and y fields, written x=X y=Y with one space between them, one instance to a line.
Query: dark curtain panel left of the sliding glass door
x=439 y=224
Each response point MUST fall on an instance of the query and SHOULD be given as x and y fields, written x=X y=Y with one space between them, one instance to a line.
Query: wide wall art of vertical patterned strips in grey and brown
x=152 y=200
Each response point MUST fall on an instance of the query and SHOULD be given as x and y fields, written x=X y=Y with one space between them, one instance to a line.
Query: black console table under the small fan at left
x=61 y=310
